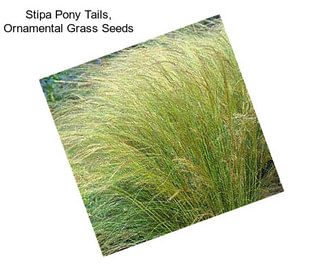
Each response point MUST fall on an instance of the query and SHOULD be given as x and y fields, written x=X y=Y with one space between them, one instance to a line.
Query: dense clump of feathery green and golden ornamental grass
x=164 y=136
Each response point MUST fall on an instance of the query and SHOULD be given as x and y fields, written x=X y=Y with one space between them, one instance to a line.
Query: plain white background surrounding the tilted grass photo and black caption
x=44 y=224
